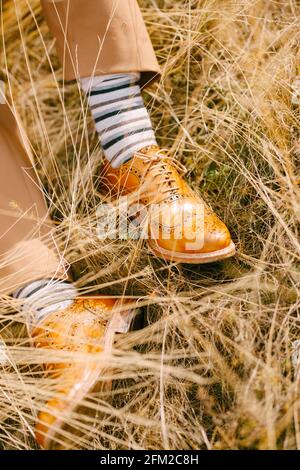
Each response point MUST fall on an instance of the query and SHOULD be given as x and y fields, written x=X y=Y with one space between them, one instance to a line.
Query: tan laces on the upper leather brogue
x=160 y=162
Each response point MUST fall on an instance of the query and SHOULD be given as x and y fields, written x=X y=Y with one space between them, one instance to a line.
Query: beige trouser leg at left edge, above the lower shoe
x=27 y=249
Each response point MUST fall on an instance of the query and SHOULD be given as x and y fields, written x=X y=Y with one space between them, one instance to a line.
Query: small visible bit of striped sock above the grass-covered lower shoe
x=42 y=297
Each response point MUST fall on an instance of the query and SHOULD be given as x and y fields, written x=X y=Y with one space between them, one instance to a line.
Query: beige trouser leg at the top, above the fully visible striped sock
x=96 y=37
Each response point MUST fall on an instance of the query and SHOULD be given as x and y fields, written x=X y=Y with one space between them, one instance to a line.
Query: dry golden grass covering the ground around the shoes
x=212 y=368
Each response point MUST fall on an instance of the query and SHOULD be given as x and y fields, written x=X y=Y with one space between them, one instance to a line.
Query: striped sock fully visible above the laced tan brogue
x=120 y=116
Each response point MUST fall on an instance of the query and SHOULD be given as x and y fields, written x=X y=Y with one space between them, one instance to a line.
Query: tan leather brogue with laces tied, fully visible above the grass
x=179 y=225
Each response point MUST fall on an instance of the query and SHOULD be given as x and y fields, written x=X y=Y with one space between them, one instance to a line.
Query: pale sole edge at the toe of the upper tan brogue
x=199 y=258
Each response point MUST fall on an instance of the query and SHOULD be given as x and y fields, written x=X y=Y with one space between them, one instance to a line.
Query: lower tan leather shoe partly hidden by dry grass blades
x=88 y=326
